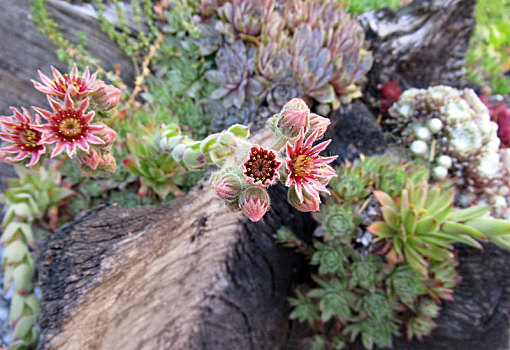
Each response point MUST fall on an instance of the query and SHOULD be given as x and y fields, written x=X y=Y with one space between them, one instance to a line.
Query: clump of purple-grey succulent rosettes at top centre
x=270 y=51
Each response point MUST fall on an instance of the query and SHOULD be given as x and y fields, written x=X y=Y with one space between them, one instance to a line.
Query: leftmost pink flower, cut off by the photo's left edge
x=19 y=130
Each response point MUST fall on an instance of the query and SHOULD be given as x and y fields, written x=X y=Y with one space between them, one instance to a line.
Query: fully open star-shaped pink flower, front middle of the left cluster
x=69 y=127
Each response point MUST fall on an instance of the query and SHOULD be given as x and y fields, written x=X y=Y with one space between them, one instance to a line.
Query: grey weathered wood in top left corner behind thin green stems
x=24 y=51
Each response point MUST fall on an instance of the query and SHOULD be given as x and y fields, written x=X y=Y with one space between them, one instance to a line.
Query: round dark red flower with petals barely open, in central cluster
x=261 y=166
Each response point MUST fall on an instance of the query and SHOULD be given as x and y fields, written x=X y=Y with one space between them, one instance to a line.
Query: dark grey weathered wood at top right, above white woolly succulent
x=421 y=45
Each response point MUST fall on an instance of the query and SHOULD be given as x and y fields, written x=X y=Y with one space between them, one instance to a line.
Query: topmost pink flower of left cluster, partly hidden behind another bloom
x=78 y=86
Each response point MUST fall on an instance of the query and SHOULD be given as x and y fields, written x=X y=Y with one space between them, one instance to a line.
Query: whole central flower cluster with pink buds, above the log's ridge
x=293 y=159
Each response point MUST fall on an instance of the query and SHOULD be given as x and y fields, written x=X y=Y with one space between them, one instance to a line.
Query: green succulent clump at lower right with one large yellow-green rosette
x=384 y=253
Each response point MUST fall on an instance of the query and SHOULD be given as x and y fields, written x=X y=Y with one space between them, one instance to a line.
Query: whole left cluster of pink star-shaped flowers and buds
x=74 y=100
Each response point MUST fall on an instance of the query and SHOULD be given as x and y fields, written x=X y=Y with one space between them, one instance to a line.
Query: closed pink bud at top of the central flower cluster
x=294 y=117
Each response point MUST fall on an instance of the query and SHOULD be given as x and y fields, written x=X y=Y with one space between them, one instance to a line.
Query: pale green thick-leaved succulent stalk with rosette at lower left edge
x=33 y=196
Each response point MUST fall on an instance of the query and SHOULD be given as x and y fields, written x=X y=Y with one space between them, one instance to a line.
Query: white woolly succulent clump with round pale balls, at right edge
x=453 y=130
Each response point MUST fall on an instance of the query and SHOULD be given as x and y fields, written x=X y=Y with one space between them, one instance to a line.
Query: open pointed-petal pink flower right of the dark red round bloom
x=306 y=169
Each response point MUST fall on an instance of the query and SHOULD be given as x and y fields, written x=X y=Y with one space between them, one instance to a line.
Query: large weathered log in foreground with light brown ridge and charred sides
x=187 y=275
